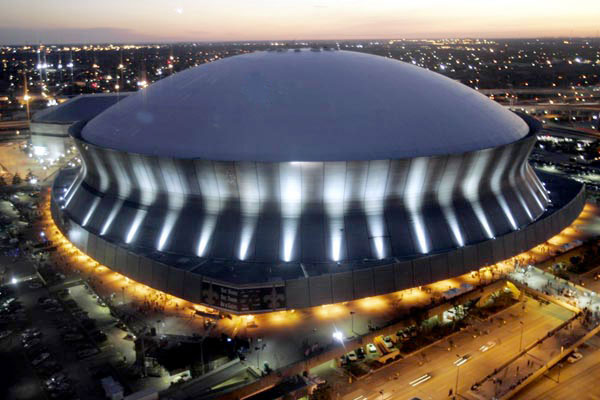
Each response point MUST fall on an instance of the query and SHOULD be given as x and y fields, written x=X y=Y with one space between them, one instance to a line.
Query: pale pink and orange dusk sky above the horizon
x=178 y=21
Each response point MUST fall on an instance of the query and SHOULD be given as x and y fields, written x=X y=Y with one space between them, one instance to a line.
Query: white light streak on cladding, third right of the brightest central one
x=413 y=198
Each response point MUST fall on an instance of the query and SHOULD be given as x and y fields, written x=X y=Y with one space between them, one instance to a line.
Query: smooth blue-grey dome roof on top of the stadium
x=304 y=106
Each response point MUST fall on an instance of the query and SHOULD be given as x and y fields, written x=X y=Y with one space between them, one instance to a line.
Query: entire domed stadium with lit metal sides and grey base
x=289 y=179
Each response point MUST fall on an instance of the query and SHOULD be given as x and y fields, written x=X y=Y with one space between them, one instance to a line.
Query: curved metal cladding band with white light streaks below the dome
x=306 y=211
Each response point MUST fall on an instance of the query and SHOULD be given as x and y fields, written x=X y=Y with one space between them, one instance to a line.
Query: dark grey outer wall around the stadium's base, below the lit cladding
x=322 y=289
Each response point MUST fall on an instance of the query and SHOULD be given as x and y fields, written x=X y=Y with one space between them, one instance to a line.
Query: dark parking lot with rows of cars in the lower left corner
x=61 y=341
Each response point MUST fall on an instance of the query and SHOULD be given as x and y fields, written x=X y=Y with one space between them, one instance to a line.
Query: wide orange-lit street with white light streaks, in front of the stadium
x=438 y=361
